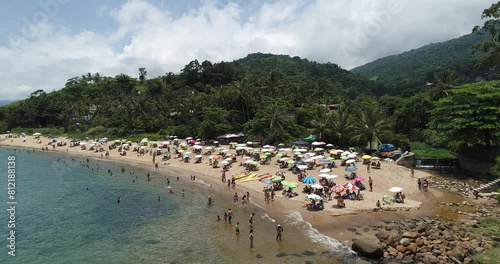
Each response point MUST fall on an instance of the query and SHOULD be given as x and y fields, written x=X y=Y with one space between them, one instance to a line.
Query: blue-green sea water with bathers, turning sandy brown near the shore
x=68 y=213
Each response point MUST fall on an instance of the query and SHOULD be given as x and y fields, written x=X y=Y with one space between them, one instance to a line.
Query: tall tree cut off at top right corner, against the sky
x=491 y=47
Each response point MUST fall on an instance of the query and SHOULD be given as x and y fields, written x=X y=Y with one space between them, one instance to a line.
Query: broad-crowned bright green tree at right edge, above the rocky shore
x=469 y=115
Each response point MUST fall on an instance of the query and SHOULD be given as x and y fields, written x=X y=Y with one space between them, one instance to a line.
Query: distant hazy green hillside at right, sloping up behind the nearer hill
x=416 y=67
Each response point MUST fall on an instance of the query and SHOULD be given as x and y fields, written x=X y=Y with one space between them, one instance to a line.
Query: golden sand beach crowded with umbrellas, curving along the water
x=326 y=221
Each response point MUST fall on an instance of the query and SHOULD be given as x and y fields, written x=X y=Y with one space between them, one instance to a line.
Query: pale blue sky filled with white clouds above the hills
x=43 y=43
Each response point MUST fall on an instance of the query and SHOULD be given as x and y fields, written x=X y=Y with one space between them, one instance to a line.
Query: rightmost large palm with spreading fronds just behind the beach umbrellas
x=372 y=124
